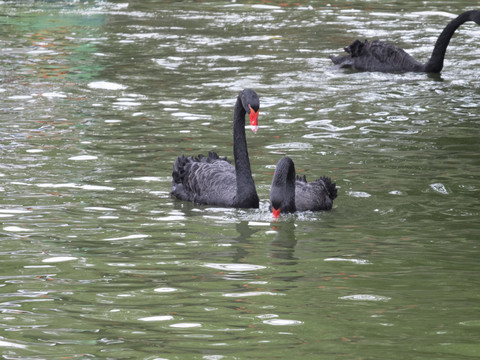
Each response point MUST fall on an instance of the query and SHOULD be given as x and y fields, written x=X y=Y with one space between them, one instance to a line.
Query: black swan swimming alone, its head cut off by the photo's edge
x=384 y=57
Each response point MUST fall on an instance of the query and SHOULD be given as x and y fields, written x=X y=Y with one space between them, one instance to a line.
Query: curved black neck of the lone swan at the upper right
x=435 y=64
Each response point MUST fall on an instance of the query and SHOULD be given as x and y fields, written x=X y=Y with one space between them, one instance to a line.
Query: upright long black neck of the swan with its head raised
x=246 y=196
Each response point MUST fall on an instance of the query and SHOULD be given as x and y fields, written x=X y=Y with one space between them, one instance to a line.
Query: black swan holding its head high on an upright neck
x=213 y=180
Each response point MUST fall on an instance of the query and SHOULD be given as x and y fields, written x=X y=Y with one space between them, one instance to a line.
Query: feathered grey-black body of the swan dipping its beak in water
x=316 y=195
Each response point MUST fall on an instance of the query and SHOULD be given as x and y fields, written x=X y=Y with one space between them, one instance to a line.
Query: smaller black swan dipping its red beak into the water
x=290 y=193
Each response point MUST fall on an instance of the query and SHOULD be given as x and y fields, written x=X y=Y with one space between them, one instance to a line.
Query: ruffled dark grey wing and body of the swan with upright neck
x=204 y=180
